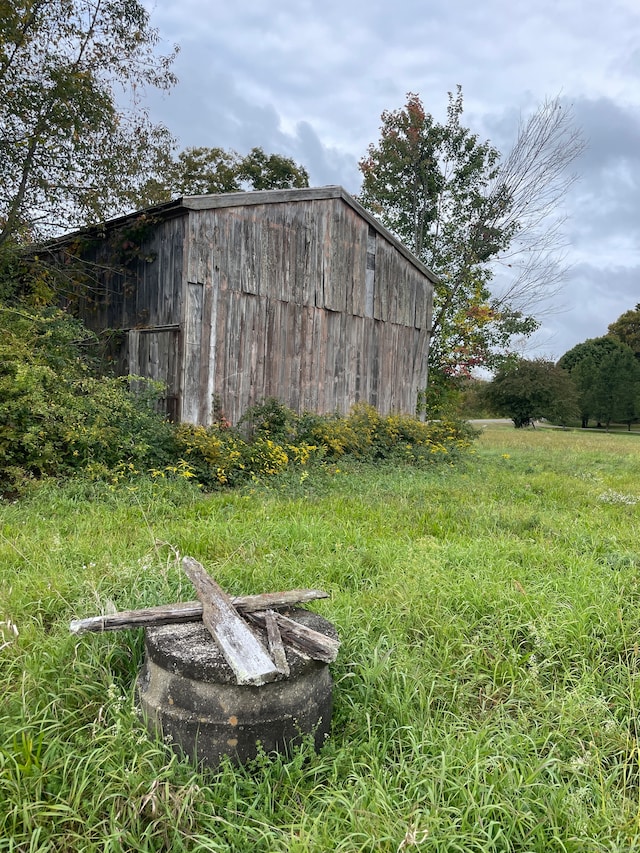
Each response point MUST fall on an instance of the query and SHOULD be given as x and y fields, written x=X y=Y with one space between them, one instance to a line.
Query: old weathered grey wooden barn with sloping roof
x=295 y=294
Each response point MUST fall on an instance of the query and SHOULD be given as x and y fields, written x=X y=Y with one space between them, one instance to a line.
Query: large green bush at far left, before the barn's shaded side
x=57 y=418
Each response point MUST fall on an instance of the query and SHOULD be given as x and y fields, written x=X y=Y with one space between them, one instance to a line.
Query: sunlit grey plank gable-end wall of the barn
x=304 y=302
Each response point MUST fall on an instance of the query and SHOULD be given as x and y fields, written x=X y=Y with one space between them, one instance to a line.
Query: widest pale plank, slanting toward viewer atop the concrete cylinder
x=242 y=650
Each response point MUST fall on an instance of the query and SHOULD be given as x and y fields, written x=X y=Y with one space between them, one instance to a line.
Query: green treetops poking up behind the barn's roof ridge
x=200 y=171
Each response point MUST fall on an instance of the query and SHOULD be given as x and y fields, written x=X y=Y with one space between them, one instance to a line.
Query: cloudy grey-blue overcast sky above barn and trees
x=310 y=80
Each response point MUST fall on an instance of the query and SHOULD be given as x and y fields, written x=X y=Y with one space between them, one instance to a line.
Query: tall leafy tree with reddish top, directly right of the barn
x=429 y=183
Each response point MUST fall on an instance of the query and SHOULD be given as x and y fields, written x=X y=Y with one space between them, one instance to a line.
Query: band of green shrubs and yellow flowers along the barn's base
x=59 y=417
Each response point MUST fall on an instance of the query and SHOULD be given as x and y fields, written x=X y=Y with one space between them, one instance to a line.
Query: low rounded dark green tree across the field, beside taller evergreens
x=529 y=390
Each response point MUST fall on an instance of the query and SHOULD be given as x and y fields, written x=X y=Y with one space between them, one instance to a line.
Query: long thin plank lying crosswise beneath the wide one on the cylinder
x=189 y=611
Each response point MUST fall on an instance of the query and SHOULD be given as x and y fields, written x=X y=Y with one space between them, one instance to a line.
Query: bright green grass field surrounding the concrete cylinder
x=486 y=693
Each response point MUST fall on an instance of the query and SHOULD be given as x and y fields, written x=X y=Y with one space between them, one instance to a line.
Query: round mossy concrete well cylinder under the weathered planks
x=188 y=693
